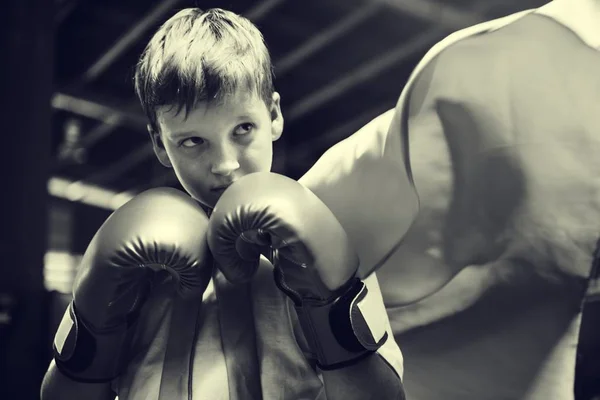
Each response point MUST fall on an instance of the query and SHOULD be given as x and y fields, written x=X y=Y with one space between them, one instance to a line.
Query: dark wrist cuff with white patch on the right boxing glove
x=340 y=330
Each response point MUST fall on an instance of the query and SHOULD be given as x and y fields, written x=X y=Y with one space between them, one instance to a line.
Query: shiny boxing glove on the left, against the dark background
x=160 y=231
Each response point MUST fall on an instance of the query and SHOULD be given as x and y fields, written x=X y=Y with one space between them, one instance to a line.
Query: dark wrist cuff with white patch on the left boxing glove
x=87 y=356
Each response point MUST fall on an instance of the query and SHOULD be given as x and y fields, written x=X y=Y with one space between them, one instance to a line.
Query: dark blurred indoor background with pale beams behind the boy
x=76 y=146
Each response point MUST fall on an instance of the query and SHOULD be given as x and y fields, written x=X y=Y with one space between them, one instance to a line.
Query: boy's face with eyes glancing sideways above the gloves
x=218 y=143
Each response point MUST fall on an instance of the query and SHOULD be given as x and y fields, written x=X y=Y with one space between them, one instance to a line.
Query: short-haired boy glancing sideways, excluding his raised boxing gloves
x=205 y=83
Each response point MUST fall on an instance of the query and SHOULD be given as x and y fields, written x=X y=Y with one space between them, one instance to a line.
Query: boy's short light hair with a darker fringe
x=202 y=56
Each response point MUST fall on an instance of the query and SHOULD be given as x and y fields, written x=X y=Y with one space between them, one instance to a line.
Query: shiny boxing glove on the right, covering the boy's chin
x=315 y=264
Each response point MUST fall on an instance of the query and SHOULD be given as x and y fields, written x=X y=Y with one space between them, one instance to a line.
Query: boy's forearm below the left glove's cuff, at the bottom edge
x=57 y=386
